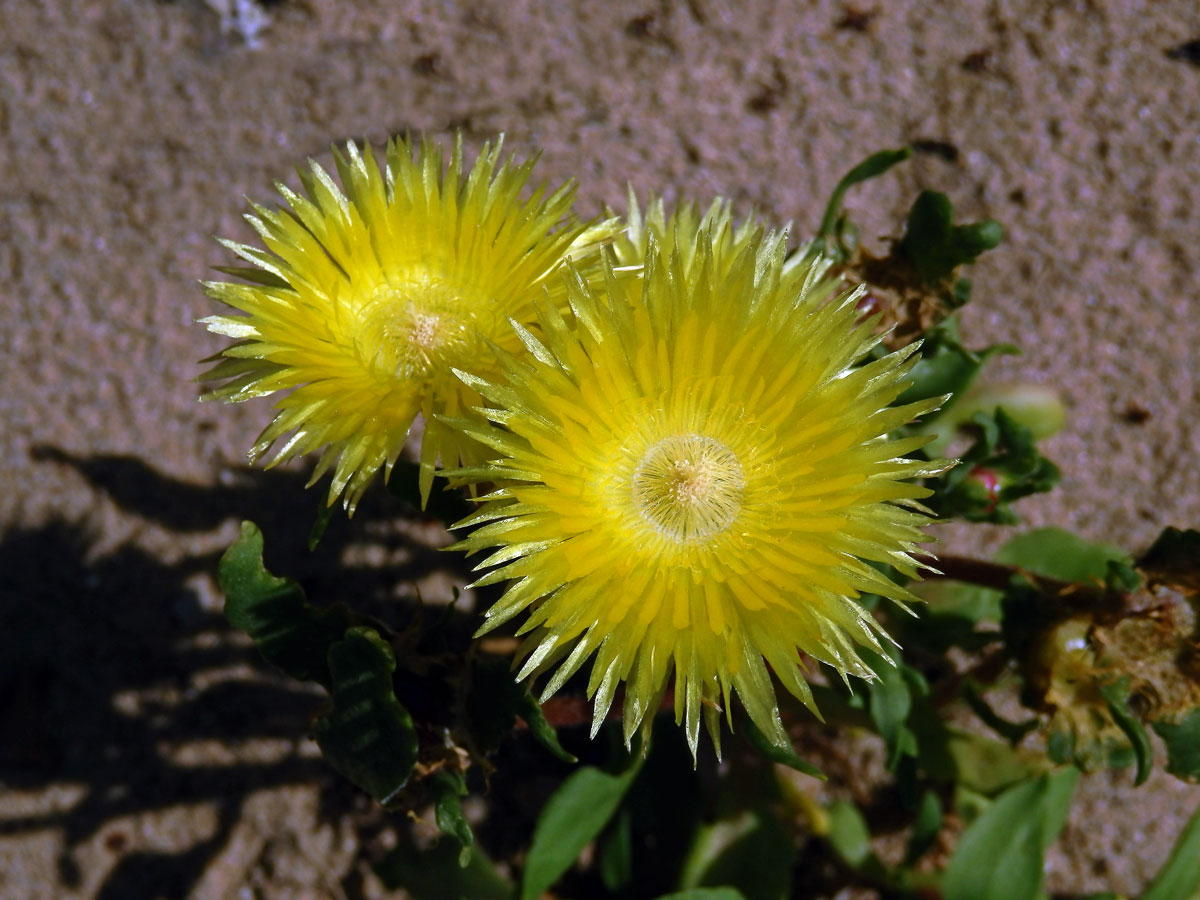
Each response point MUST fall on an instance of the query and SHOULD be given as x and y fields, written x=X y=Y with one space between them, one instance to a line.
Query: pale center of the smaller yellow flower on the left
x=418 y=328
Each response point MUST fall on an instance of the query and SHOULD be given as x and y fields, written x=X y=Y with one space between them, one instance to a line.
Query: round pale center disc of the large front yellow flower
x=689 y=487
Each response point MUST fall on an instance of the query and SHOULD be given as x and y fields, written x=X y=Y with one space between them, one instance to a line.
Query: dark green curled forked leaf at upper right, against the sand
x=935 y=245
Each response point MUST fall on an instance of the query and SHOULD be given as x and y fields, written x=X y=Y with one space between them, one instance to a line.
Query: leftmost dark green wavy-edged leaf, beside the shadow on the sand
x=293 y=635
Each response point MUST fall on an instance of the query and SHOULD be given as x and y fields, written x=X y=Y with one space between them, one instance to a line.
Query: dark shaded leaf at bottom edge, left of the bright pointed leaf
x=437 y=875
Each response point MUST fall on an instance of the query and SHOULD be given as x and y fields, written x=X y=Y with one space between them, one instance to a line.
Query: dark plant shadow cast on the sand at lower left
x=112 y=670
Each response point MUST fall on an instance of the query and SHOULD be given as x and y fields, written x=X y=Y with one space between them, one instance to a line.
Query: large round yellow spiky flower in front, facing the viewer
x=695 y=478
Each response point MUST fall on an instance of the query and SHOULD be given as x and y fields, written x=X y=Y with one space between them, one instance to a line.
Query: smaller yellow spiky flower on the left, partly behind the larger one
x=364 y=302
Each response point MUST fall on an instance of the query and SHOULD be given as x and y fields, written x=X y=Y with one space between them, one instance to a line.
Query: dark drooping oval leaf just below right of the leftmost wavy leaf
x=368 y=735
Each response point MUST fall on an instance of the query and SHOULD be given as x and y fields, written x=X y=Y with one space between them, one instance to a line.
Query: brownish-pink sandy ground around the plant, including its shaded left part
x=139 y=757
